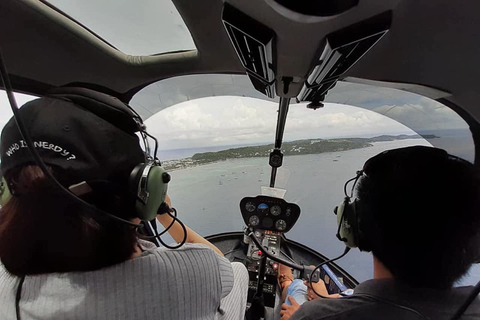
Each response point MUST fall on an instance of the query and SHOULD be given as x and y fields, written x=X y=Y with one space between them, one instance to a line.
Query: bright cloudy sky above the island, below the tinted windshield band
x=232 y=120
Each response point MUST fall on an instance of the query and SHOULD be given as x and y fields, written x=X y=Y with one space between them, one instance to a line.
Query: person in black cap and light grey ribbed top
x=61 y=259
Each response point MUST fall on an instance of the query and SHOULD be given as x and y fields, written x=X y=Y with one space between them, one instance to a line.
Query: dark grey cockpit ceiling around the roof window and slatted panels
x=430 y=43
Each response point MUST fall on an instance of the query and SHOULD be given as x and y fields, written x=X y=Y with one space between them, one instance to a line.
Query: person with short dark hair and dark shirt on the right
x=417 y=210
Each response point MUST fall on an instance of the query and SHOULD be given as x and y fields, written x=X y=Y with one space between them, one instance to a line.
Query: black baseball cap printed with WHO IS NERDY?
x=73 y=136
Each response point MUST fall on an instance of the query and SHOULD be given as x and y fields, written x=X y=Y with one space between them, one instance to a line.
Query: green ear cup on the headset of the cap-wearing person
x=157 y=191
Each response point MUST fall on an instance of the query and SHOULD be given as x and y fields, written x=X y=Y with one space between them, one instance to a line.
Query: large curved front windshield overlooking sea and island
x=215 y=139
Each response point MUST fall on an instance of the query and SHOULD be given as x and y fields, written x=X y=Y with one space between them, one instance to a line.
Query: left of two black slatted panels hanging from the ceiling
x=254 y=44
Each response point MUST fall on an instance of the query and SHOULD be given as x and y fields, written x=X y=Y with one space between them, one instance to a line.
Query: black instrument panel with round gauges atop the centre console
x=269 y=213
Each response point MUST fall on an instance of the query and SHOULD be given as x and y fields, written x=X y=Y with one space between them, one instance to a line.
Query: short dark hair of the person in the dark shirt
x=422 y=220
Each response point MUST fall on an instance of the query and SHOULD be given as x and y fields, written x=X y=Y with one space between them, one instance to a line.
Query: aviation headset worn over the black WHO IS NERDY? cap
x=148 y=181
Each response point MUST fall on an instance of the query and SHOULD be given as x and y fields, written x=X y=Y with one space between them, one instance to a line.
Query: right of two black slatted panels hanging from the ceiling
x=341 y=51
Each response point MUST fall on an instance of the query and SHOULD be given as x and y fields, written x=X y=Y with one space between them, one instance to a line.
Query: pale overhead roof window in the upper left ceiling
x=139 y=28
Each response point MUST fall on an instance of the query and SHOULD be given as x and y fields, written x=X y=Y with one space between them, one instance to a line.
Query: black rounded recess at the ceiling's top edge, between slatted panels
x=320 y=8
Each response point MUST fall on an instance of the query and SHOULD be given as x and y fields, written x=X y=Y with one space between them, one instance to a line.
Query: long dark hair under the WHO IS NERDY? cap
x=43 y=231
